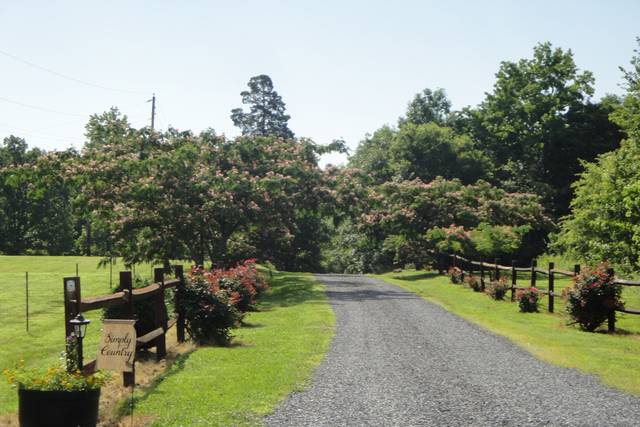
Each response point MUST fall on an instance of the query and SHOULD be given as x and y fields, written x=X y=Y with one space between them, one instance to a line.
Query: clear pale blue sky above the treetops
x=344 y=68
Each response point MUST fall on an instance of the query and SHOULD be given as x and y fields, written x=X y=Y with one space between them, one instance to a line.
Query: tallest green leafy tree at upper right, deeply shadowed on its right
x=538 y=123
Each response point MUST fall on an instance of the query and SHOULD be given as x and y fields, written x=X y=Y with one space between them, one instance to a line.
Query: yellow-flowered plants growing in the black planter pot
x=54 y=379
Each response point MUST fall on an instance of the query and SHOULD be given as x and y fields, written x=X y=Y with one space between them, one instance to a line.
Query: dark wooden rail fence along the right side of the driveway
x=493 y=272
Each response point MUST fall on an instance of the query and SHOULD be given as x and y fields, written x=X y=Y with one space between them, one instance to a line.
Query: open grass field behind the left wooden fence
x=42 y=345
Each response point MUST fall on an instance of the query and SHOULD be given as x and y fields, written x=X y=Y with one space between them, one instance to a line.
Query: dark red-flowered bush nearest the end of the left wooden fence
x=209 y=310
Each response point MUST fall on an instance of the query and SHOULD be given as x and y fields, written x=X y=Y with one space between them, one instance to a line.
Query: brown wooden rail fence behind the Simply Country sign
x=75 y=304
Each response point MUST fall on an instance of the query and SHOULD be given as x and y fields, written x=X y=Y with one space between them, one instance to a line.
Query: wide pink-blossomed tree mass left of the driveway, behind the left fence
x=205 y=197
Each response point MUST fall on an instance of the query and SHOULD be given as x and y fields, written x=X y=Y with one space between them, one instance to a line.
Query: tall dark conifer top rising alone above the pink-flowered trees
x=266 y=116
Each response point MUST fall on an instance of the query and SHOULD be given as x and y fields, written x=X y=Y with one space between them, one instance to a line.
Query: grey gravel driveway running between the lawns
x=399 y=360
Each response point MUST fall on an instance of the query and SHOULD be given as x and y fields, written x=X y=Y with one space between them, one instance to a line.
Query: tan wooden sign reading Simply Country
x=117 y=350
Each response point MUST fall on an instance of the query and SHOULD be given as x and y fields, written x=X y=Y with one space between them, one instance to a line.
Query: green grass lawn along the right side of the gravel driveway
x=614 y=358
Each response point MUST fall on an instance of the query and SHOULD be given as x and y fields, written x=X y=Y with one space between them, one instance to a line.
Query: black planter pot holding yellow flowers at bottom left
x=58 y=408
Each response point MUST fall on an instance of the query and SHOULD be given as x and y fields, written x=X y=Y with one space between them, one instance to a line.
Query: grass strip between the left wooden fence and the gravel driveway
x=271 y=357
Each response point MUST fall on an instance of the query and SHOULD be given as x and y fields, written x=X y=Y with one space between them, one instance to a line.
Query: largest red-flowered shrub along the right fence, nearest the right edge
x=593 y=297
